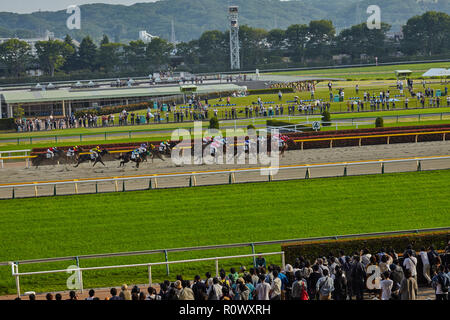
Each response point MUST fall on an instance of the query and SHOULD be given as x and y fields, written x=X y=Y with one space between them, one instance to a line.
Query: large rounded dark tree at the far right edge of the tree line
x=427 y=34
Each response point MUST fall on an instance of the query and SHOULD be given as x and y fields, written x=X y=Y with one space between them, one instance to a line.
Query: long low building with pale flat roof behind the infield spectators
x=43 y=101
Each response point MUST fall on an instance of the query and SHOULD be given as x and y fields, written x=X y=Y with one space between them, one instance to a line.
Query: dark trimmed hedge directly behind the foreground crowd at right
x=314 y=249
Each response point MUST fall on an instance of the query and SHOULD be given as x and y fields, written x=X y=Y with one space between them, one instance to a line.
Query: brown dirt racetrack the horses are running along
x=18 y=174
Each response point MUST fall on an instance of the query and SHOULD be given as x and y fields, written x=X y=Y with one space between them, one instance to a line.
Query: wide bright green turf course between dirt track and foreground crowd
x=156 y=219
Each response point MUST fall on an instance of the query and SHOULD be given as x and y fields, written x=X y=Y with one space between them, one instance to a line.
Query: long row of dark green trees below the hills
x=299 y=44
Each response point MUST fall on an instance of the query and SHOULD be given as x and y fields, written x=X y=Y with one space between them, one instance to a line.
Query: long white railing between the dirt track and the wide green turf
x=232 y=174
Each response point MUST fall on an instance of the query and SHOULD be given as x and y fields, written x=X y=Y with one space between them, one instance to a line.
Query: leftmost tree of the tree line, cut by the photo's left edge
x=16 y=55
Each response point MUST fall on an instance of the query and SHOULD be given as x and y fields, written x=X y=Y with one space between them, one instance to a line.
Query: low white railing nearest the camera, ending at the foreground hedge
x=16 y=274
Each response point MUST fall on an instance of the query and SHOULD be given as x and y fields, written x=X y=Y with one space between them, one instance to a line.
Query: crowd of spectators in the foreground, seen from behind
x=382 y=275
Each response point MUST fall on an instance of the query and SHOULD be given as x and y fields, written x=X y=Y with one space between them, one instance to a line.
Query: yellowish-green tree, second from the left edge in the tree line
x=52 y=54
